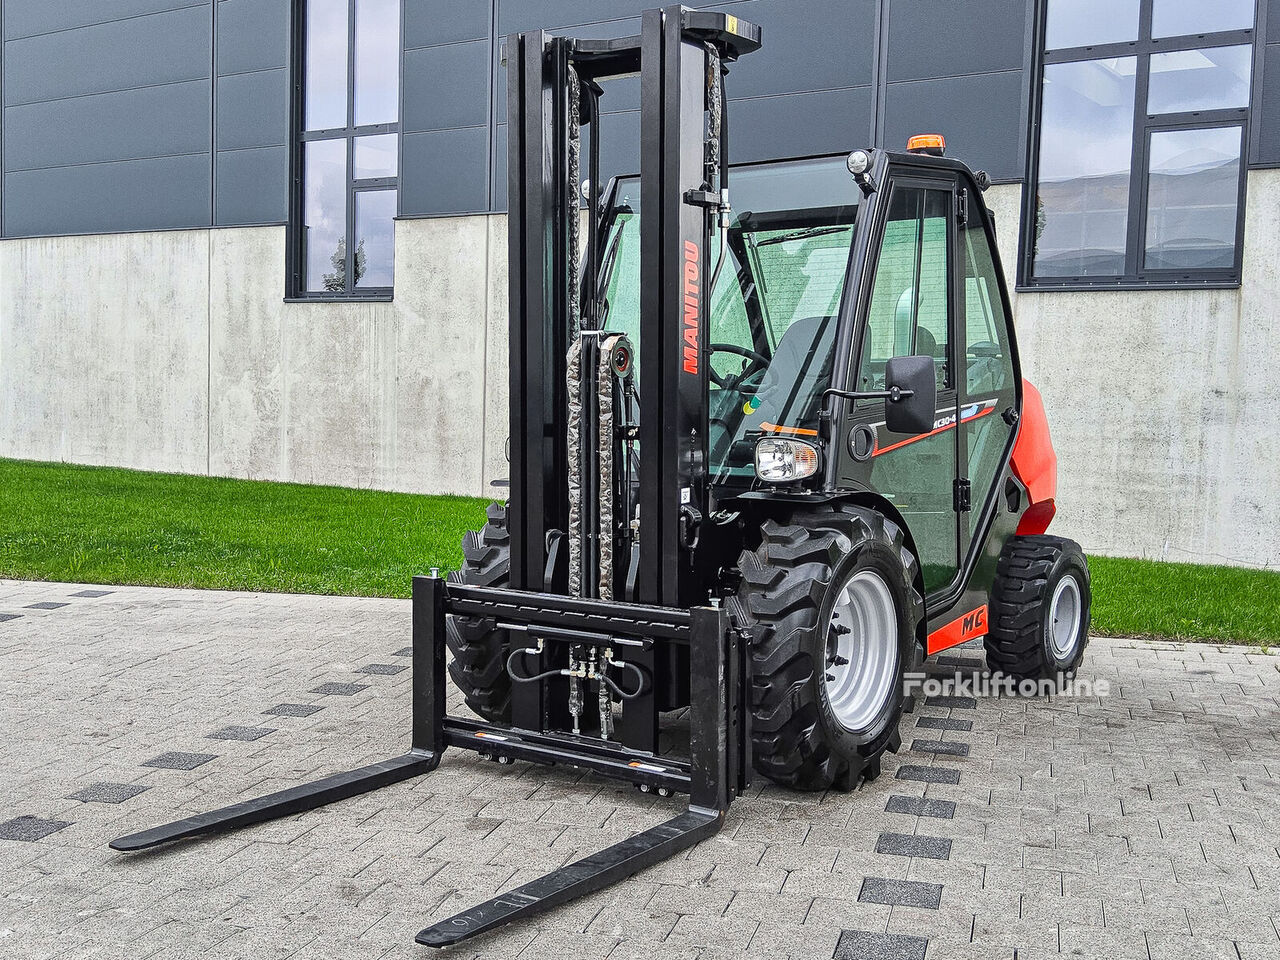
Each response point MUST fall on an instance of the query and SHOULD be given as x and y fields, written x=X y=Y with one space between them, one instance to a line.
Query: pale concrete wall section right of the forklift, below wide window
x=1163 y=405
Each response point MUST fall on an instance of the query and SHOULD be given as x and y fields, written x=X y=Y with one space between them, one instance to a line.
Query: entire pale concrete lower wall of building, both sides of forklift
x=176 y=351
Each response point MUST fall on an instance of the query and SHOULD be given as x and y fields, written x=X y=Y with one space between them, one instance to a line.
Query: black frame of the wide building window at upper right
x=1136 y=276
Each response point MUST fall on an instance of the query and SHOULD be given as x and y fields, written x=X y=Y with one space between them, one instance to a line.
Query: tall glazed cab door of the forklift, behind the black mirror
x=913 y=313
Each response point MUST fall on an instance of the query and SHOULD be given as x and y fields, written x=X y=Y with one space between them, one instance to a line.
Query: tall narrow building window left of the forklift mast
x=346 y=154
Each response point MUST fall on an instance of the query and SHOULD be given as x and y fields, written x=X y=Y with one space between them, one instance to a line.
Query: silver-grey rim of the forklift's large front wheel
x=862 y=632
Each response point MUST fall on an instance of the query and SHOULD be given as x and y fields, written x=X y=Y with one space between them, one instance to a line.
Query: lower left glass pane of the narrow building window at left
x=324 y=231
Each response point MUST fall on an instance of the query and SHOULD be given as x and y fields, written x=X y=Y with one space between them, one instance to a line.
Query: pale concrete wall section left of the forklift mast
x=175 y=351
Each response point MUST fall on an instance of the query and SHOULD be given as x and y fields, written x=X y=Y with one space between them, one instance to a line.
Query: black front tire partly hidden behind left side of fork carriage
x=479 y=666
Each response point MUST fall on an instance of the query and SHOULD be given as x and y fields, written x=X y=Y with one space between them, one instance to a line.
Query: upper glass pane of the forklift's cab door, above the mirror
x=908 y=316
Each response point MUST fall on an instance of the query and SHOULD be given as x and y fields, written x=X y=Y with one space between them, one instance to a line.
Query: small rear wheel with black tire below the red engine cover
x=1035 y=580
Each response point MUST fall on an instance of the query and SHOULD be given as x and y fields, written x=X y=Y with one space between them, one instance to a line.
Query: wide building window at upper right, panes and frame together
x=1139 y=145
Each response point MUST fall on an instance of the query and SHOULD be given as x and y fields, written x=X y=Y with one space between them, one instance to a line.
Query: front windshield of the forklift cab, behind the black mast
x=774 y=310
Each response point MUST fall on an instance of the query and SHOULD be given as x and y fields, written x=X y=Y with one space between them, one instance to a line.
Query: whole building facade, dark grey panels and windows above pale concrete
x=182 y=181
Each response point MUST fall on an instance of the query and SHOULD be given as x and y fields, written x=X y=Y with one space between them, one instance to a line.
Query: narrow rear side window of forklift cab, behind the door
x=989 y=367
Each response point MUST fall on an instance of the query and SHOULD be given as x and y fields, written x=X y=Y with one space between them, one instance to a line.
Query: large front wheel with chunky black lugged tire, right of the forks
x=792 y=587
